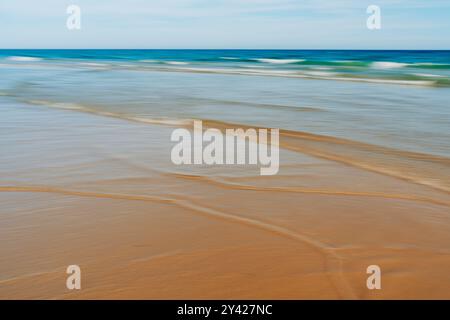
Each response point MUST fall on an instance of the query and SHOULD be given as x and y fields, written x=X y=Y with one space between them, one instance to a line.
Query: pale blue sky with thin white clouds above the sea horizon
x=227 y=24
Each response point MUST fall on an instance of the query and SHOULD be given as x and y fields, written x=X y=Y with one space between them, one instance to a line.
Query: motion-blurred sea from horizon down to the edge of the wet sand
x=398 y=99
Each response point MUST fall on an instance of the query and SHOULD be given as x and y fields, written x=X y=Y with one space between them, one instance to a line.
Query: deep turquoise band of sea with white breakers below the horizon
x=407 y=67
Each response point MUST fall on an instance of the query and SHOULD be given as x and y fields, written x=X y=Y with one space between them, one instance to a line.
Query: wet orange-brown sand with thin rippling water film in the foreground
x=102 y=193
